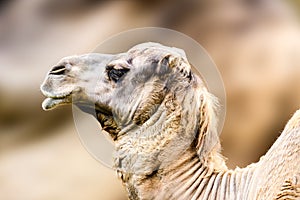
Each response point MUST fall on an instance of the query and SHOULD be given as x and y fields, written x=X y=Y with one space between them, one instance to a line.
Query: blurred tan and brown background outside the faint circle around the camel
x=255 y=44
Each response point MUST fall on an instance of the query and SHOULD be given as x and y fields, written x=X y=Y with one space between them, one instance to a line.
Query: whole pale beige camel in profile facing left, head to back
x=163 y=122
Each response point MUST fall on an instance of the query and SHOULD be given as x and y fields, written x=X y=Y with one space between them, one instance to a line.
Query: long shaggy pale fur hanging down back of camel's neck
x=207 y=139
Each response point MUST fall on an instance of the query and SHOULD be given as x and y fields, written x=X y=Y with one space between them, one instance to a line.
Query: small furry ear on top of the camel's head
x=177 y=63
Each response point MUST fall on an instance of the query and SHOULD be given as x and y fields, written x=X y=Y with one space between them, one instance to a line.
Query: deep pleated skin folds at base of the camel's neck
x=191 y=179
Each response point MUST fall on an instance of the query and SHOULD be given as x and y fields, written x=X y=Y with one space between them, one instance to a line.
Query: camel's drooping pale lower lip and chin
x=52 y=102
